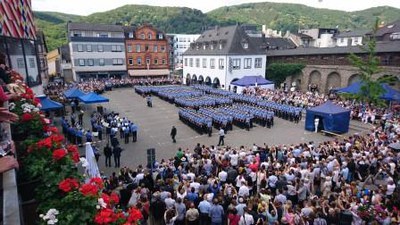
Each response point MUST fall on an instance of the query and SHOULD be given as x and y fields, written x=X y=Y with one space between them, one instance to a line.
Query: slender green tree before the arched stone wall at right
x=371 y=89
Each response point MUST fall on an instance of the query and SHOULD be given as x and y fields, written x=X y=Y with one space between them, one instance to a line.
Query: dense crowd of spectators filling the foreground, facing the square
x=349 y=181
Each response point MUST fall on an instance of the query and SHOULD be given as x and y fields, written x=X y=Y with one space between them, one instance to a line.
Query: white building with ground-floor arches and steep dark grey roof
x=222 y=55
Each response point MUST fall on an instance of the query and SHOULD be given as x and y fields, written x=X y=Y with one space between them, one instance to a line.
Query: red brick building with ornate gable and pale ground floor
x=146 y=52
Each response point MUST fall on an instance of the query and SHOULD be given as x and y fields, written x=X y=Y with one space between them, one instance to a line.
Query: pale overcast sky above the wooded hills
x=86 y=7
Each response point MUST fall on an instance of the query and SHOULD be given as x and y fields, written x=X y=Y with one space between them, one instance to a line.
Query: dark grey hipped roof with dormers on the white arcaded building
x=231 y=38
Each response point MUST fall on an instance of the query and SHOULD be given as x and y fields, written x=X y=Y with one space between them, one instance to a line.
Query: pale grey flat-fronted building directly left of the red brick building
x=97 y=51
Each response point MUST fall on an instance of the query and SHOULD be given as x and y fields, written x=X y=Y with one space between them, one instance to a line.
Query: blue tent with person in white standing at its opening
x=332 y=118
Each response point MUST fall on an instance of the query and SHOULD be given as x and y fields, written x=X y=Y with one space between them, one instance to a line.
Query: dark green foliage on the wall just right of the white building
x=278 y=72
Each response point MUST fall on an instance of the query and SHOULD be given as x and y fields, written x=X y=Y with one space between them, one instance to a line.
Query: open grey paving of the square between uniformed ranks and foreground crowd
x=155 y=126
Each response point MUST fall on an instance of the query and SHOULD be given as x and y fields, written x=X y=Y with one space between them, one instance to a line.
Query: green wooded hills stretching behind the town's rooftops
x=279 y=16
